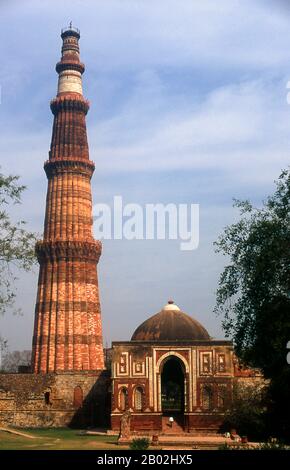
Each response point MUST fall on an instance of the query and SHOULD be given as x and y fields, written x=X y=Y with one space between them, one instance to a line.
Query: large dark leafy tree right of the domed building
x=253 y=295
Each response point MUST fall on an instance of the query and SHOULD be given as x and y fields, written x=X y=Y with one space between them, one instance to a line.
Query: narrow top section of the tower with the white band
x=70 y=68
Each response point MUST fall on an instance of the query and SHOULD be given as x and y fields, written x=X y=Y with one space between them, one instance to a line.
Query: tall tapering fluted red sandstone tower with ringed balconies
x=67 y=330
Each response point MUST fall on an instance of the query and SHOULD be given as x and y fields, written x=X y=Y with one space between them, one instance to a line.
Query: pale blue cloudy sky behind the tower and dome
x=188 y=105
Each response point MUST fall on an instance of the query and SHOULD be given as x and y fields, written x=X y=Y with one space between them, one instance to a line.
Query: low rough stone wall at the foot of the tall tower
x=55 y=400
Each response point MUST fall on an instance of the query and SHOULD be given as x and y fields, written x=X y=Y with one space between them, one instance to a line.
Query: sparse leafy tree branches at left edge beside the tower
x=16 y=244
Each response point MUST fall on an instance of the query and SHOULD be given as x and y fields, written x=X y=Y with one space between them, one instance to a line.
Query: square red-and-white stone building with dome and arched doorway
x=173 y=368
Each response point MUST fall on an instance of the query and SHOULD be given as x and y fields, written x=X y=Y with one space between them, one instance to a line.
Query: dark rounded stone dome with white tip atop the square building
x=170 y=324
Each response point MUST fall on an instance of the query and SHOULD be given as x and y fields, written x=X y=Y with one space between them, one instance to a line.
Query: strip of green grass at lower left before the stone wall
x=56 y=439
